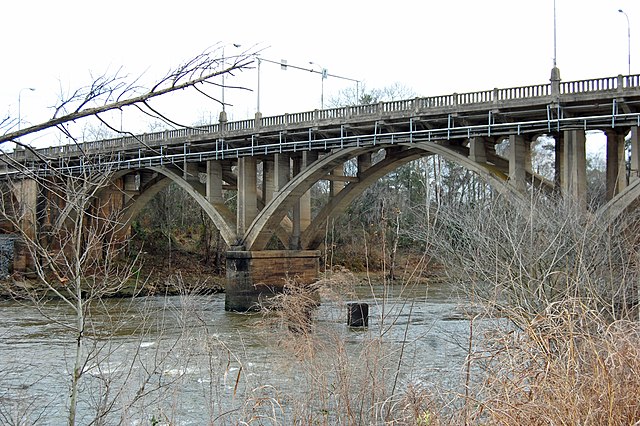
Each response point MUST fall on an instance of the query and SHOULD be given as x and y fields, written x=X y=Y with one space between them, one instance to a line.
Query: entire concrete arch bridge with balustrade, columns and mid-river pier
x=272 y=163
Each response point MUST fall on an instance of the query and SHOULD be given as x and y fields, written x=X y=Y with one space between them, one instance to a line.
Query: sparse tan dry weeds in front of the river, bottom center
x=342 y=379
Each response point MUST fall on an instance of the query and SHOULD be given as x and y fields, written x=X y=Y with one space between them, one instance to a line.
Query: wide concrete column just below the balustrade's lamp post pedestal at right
x=575 y=171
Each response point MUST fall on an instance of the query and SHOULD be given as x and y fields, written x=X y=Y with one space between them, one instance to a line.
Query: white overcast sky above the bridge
x=433 y=47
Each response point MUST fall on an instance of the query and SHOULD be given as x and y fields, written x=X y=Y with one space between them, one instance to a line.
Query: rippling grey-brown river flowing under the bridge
x=184 y=360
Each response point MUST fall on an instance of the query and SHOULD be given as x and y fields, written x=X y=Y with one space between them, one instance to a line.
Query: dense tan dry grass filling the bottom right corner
x=567 y=368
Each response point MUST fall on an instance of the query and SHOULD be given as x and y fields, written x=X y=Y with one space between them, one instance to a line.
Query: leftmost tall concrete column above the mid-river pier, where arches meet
x=247 y=193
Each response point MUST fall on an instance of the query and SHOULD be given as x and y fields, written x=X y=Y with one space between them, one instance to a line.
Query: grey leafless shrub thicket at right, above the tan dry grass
x=525 y=257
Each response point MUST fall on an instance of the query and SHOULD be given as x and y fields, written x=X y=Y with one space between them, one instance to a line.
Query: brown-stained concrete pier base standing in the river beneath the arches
x=254 y=276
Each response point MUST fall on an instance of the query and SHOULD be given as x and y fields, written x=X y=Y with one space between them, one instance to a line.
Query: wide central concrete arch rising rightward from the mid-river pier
x=256 y=238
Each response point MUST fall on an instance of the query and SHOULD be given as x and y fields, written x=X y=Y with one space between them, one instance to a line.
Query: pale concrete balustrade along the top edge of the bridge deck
x=409 y=107
